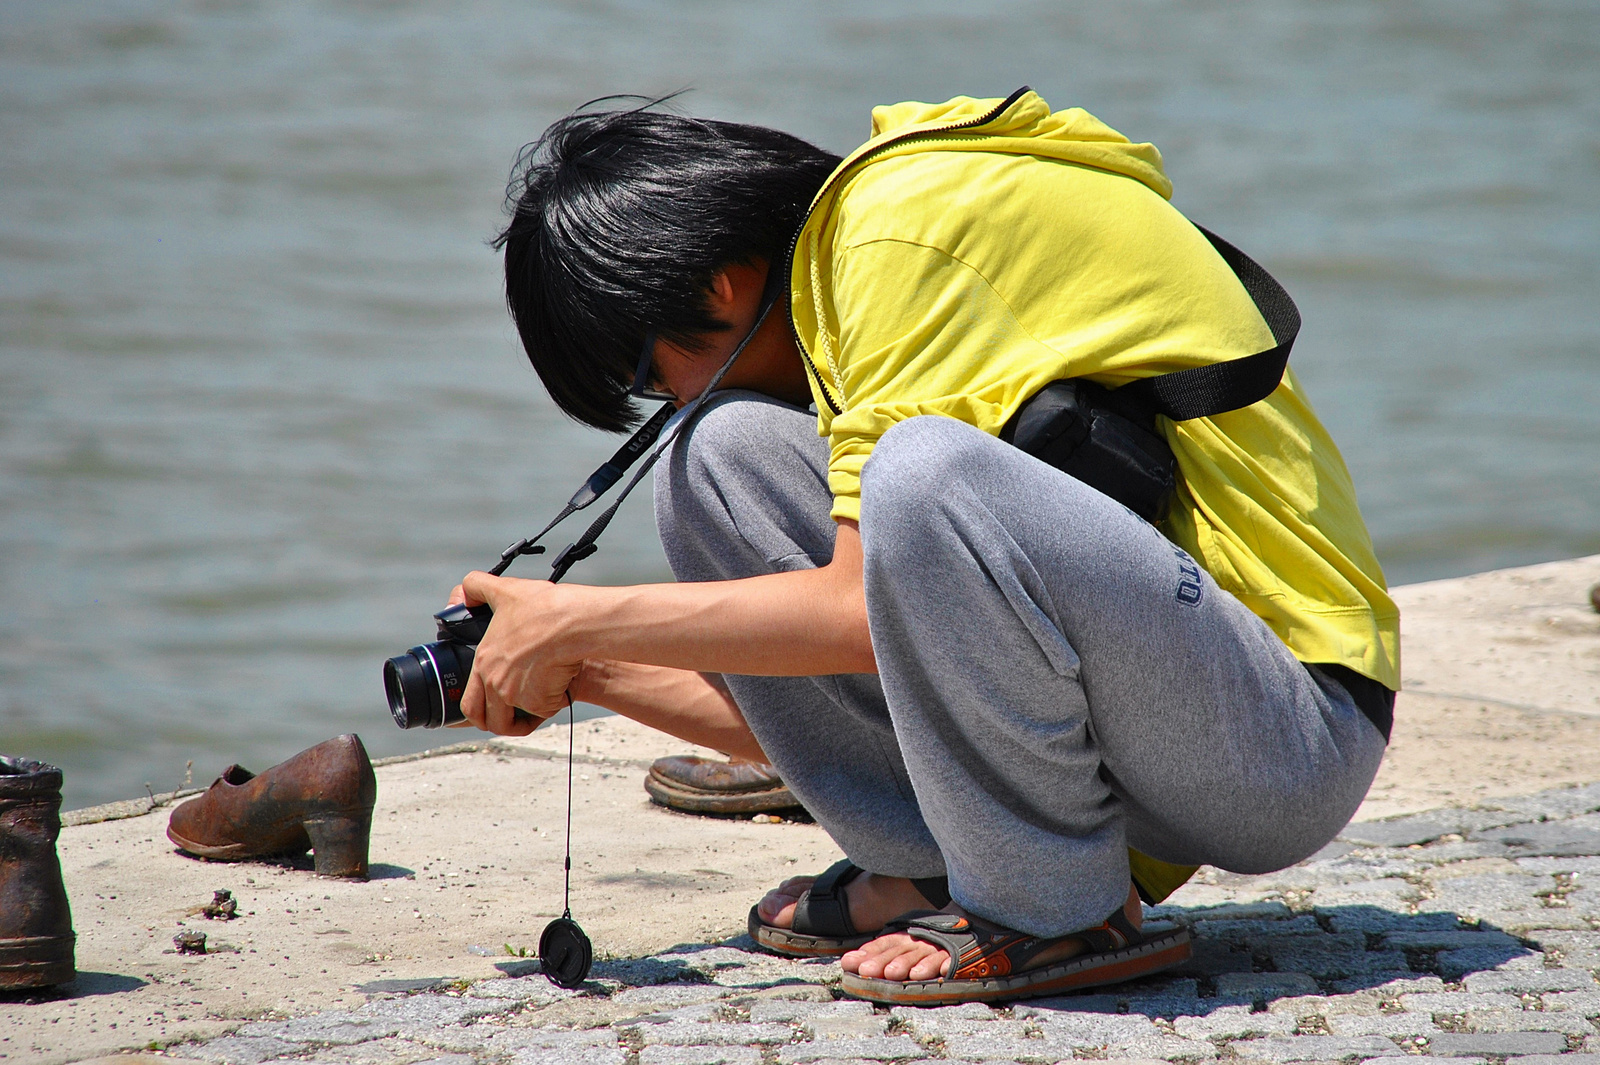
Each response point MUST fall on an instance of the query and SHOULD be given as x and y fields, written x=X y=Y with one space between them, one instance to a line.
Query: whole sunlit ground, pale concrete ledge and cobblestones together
x=418 y=963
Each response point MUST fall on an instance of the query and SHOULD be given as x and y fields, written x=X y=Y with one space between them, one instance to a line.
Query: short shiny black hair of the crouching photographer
x=618 y=223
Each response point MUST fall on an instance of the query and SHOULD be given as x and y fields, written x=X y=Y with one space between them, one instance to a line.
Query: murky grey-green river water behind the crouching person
x=262 y=405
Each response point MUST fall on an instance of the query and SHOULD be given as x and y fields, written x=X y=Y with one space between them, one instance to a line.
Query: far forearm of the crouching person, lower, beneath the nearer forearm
x=690 y=706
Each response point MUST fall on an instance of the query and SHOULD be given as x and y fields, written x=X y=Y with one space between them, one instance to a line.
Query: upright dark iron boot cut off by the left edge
x=36 y=922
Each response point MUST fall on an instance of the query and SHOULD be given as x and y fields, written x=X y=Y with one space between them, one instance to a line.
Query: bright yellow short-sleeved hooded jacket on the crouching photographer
x=977 y=250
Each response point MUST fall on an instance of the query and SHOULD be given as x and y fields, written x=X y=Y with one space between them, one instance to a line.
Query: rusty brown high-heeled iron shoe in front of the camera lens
x=321 y=800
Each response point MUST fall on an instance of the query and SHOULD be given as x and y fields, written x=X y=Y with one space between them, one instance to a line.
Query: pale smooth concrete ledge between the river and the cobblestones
x=468 y=845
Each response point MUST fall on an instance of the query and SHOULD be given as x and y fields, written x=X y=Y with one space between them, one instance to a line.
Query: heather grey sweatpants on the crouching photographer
x=1057 y=680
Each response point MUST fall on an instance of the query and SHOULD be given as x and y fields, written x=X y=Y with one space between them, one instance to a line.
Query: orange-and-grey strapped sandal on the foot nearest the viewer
x=990 y=963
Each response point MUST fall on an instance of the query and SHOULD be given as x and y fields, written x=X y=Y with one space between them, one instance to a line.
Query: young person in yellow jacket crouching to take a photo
x=1014 y=703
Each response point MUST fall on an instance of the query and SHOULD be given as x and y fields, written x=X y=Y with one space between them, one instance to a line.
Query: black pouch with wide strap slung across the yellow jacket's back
x=1110 y=439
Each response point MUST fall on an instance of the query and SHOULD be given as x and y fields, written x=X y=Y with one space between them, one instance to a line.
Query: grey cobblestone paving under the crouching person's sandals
x=1471 y=935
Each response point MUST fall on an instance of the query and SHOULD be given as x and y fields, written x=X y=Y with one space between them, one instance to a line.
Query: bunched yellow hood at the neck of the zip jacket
x=1020 y=124
